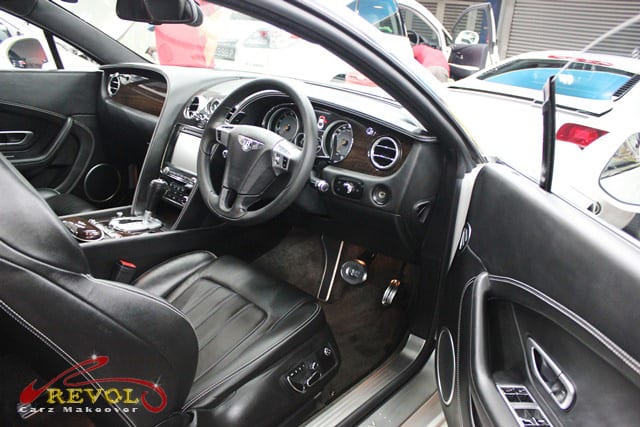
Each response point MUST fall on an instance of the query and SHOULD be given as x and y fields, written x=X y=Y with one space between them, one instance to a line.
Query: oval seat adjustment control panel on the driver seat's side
x=304 y=375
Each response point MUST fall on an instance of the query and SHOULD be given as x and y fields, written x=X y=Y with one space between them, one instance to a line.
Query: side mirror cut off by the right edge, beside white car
x=621 y=177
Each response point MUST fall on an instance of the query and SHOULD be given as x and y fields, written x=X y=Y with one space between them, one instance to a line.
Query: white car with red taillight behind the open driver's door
x=597 y=99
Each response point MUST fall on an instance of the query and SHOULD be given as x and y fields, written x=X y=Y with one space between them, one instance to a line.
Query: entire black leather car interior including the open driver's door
x=266 y=249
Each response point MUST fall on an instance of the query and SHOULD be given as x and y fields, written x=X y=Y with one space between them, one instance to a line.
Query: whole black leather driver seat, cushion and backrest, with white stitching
x=219 y=338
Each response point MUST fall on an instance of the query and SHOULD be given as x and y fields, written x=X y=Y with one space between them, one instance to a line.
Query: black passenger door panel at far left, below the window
x=51 y=109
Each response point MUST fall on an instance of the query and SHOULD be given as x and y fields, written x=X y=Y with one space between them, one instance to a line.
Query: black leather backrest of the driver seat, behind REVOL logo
x=54 y=315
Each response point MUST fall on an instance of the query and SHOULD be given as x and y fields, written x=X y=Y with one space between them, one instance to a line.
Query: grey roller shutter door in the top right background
x=572 y=25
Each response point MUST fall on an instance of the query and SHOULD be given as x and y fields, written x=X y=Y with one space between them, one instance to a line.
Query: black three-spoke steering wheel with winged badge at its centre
x=257 y=160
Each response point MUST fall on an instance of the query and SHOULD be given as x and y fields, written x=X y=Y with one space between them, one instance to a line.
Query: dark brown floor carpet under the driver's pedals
x=366 y=332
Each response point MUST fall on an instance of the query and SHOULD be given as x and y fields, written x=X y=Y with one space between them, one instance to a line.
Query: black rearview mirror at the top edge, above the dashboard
x=160 y=11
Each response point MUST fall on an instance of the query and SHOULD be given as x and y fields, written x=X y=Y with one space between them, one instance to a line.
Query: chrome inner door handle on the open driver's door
x=550 y=376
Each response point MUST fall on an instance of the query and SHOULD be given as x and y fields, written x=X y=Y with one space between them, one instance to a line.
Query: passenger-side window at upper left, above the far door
x=23 y=46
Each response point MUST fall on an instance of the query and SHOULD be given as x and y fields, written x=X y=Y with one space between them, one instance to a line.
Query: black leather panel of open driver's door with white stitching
x=537 y=270
